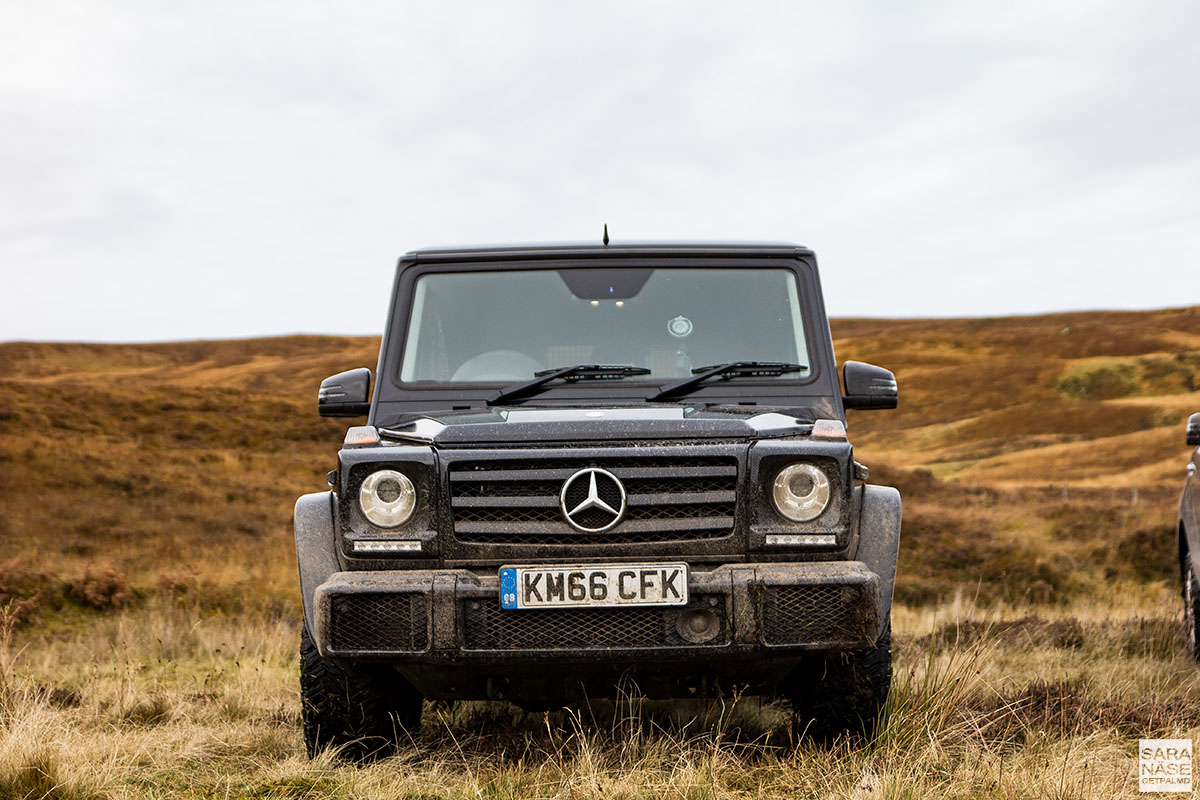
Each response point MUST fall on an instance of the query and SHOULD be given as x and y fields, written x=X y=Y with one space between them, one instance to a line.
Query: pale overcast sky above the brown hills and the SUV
x=208 y=170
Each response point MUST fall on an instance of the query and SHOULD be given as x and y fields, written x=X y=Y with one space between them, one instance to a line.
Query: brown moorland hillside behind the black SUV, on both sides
x=128 y=471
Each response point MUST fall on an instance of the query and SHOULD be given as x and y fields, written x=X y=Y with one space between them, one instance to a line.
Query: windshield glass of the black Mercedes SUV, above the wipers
x=506 y=326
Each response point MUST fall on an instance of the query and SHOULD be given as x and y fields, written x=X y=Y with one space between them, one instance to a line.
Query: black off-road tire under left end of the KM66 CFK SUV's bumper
x=361 y=709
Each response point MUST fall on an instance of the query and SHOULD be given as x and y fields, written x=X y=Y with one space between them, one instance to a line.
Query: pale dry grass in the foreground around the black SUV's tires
x=988 y=702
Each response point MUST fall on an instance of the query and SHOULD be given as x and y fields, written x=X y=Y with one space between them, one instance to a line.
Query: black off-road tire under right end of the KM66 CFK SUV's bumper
x=843 y=693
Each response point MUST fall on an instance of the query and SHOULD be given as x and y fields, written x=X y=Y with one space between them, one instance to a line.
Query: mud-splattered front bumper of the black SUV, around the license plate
x=454 y=617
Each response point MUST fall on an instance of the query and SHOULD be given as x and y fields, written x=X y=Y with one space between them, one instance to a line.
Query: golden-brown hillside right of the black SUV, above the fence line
x=1087 y=399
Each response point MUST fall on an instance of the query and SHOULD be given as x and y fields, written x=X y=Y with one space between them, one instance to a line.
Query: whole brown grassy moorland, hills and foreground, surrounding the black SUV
x=151 y=613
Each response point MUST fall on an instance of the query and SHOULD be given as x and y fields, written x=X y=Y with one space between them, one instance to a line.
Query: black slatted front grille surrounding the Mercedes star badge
x=517 y=502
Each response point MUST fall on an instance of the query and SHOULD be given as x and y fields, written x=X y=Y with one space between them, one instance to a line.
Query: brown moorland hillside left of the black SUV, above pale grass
x=172 y=466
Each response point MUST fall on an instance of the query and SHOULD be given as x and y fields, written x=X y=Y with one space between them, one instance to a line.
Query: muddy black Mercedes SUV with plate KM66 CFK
x=592 y=465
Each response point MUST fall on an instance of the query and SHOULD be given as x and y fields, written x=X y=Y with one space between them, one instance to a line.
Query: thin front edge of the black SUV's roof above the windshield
x=595 y=250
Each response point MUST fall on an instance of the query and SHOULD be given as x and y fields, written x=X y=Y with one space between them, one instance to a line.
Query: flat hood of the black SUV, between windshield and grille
x=535 y=425
